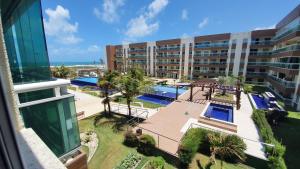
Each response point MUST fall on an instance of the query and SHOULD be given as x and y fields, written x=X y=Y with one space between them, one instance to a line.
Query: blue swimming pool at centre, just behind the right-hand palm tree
x=162 y=95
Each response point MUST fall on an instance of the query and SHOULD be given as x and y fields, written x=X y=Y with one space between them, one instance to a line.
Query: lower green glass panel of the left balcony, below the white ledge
x=55 y=123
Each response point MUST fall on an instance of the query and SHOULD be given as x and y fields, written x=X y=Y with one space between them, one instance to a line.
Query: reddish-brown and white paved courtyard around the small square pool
x=169 y=125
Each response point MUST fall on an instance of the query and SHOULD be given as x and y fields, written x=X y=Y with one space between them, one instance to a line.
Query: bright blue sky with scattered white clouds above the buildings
x=79 y=30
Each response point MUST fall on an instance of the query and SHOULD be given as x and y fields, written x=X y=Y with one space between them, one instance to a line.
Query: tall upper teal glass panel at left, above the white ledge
x=25 y=43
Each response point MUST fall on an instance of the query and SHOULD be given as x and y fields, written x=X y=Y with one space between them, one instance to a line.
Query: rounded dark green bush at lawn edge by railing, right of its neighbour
x=146 y=144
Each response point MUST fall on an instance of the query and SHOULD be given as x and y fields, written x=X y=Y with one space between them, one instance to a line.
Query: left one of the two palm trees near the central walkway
x=107 y=83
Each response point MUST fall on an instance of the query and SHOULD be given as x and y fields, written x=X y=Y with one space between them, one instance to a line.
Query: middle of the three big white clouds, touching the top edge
x=110 y=10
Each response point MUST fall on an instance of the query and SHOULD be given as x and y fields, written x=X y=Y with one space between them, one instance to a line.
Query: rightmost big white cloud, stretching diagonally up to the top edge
x=143 y=25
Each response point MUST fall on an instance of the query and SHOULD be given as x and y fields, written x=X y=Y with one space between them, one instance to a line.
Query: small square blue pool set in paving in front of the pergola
x=220 y=112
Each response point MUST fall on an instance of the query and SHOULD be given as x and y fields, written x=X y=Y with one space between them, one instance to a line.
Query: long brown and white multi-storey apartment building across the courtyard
x=268 y=57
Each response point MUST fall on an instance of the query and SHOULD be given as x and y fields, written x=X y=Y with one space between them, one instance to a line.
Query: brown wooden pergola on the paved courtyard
x=212 y=84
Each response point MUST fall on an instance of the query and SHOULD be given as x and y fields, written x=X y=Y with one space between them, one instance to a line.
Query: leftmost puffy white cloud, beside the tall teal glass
x=58 y=25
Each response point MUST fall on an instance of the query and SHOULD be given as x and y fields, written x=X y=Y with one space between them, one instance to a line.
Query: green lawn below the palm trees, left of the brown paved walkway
x=110 y=132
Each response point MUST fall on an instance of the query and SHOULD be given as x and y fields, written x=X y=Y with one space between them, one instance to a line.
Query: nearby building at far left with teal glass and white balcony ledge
x=42 y=103
